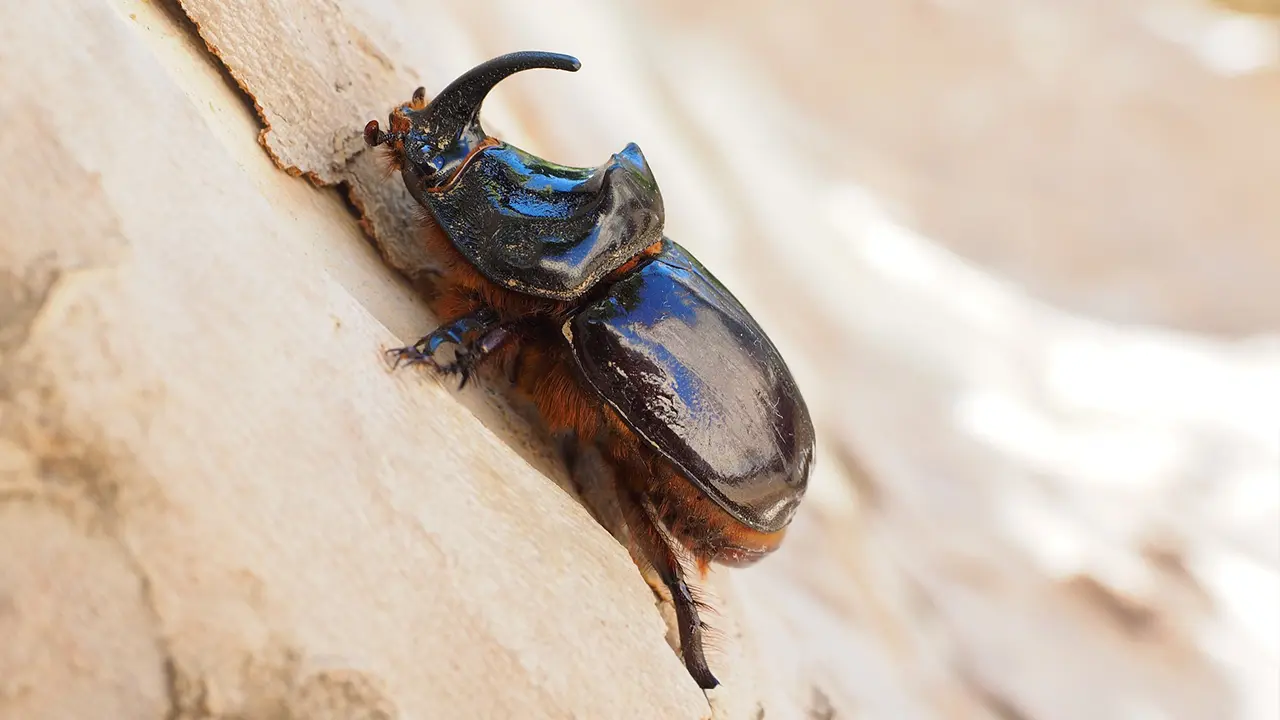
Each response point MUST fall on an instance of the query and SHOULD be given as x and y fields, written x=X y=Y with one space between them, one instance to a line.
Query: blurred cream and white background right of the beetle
x=1025 y=259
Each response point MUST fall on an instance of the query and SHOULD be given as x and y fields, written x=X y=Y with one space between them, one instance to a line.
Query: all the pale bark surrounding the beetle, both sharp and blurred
x=217 y=503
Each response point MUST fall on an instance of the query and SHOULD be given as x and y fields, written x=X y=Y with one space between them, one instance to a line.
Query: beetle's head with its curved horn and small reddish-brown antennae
x=431 y=142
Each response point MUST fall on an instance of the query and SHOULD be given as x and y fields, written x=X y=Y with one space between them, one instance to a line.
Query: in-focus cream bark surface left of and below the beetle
x=217 y=500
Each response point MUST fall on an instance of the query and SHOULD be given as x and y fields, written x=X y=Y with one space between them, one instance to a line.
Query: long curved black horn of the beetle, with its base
x=449 y=129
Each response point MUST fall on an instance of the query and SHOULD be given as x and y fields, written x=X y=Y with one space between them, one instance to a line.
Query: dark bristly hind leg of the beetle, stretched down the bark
x=657 y=552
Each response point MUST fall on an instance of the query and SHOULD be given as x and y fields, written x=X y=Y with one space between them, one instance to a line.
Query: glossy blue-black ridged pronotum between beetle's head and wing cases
x=548 y=230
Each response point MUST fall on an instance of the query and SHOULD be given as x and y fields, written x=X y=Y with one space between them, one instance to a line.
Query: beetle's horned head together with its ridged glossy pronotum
x=524 y=224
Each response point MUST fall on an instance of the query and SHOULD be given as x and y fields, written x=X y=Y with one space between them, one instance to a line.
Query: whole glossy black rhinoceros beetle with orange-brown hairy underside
x=615 y=332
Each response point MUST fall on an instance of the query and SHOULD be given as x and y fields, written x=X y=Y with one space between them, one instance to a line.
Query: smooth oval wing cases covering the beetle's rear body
x=693 y=375
